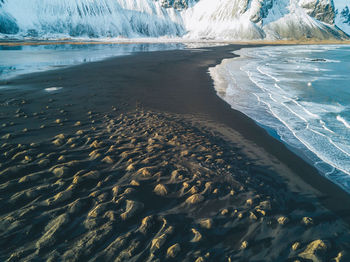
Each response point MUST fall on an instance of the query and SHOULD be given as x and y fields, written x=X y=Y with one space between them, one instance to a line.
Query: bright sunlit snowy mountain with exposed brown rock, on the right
x=263 y=19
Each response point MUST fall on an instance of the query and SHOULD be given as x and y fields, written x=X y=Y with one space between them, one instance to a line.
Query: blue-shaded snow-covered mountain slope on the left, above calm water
x=102 y=18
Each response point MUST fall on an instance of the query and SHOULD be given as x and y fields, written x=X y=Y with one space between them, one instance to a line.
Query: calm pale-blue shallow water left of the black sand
x=19 y=60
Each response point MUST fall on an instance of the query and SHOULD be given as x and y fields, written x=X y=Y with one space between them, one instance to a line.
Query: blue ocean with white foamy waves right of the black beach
x=300 y=95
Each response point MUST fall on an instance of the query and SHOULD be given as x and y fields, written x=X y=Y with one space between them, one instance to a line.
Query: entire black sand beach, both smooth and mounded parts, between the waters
x=136 y=159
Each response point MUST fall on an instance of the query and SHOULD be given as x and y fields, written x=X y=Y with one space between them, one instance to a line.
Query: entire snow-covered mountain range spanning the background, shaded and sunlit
x=191 y=19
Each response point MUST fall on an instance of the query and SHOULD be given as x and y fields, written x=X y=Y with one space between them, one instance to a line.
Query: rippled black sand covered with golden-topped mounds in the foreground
x=147 y=186
